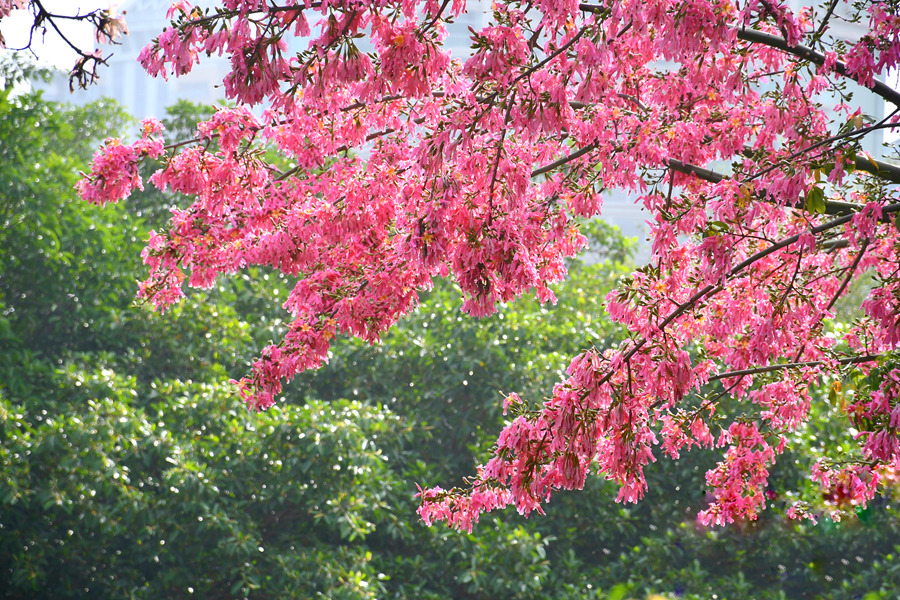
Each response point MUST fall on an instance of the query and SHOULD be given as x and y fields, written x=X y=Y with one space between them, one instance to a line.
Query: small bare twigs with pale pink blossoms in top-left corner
x=108 y=26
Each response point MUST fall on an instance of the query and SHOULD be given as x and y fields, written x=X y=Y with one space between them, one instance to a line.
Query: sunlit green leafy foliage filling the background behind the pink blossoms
x=128 y=470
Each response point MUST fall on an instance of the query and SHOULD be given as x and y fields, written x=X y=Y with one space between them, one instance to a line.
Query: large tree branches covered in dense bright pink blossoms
x=731 y=123
